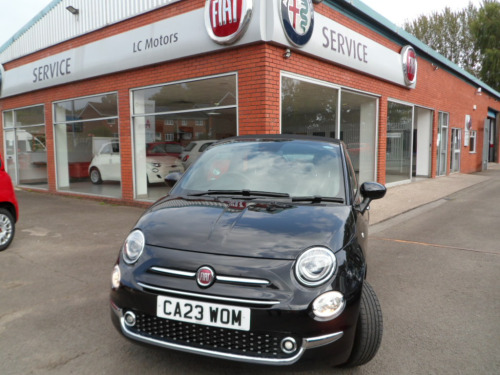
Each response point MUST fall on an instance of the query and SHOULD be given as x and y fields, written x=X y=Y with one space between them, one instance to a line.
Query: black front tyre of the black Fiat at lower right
x=368 y=330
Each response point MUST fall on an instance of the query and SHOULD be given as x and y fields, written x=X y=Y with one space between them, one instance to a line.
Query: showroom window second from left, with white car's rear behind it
x=87 y=145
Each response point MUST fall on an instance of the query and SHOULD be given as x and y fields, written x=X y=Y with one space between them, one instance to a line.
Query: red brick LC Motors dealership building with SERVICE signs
x=95 y=84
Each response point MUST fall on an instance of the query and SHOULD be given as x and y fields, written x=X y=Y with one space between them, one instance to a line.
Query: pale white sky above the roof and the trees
x=15 y=14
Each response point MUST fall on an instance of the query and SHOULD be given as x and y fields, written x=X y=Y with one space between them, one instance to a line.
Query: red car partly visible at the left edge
x=9 y=210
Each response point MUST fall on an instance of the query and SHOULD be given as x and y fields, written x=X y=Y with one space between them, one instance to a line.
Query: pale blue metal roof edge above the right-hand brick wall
x=360 y=12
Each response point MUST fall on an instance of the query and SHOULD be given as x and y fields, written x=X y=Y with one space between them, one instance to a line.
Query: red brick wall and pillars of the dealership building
x=258 y=67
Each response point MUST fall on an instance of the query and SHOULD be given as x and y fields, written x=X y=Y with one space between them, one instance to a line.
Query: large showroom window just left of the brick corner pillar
x=189 y=114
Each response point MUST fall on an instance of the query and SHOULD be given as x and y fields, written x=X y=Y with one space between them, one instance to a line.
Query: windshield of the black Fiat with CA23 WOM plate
x=294 y=168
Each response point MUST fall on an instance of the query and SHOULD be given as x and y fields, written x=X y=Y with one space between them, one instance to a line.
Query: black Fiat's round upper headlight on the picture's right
x=315 y=266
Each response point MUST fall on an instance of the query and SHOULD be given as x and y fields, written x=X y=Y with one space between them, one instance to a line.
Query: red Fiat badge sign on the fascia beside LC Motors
x=227 y=20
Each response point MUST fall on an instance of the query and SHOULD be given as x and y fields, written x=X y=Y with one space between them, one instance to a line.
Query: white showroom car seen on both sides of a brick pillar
x=106 y=165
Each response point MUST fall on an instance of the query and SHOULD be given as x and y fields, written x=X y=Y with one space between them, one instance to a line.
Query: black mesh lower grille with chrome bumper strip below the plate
x=262 y=348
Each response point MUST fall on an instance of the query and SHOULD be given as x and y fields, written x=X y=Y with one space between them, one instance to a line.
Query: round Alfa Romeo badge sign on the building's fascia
x=297 y=17
